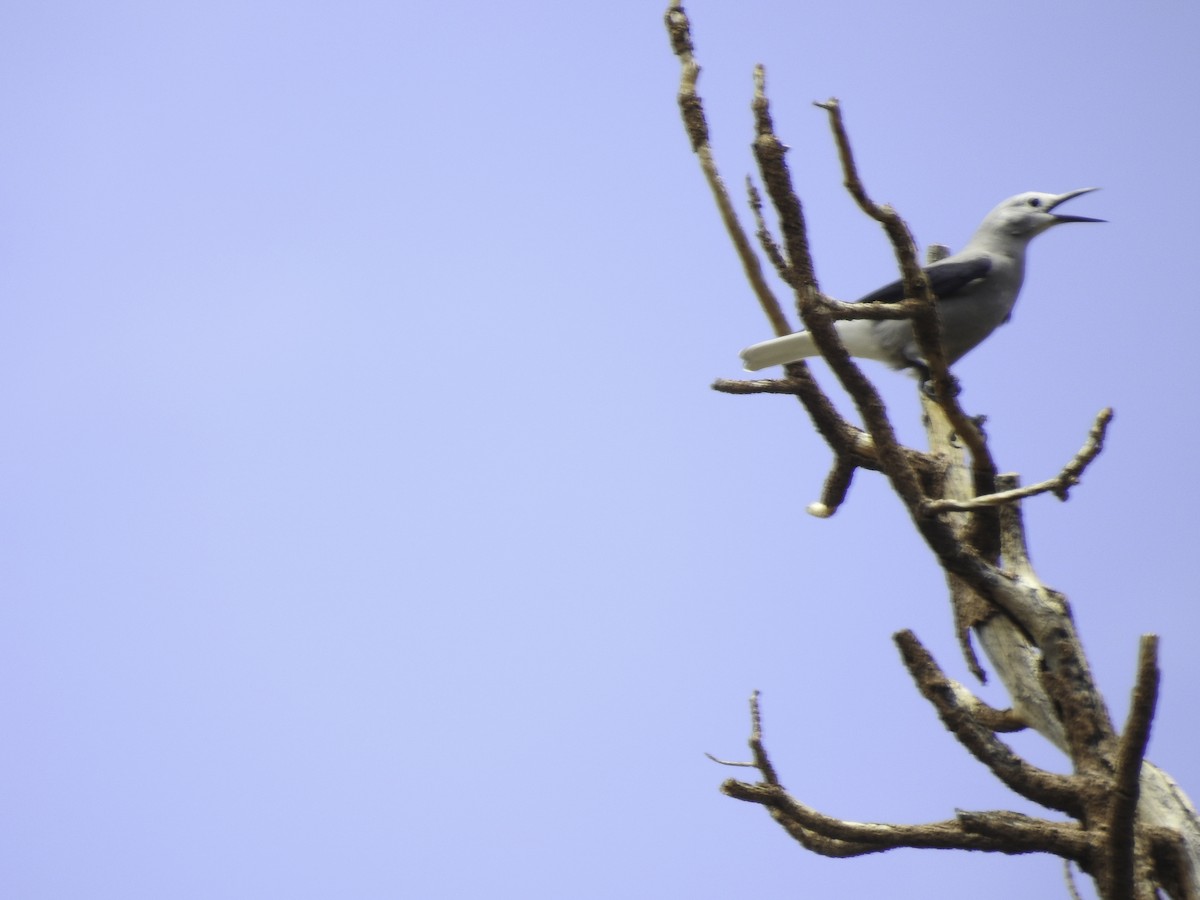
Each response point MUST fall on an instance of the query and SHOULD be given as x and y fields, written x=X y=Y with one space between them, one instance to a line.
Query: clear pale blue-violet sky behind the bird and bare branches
x=370 y=530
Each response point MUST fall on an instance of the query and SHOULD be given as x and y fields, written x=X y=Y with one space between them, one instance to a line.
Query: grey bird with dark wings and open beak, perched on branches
x=976 y=290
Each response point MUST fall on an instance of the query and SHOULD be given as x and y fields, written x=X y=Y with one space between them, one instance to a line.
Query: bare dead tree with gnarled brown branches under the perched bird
x=1130 y=826
